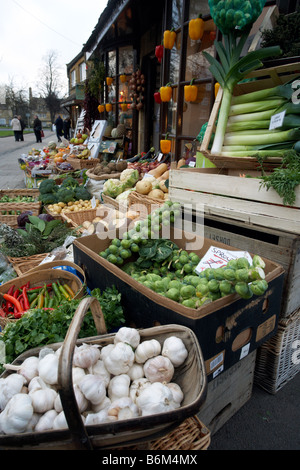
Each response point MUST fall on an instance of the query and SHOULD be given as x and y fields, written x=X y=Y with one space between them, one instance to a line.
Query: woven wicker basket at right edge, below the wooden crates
x=277 y=359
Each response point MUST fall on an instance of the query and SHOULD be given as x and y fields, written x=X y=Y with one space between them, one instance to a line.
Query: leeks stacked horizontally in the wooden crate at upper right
x=247 y=131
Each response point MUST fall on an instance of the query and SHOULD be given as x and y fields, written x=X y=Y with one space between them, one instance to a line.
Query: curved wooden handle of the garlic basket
x=65 y=382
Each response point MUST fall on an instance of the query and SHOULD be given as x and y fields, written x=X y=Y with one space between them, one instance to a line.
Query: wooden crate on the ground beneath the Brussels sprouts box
x=227 y=393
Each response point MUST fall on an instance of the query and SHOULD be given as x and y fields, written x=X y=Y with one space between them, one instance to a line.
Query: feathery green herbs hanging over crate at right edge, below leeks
x=285 y=178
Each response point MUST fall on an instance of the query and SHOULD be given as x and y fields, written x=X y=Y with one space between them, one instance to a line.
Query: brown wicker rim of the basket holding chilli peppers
x=64 y=272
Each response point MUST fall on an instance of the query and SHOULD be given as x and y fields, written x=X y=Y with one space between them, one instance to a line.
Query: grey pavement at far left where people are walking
x=11 y=175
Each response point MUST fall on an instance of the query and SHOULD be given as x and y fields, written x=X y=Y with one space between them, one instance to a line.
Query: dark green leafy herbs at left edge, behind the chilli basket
x=39 y=236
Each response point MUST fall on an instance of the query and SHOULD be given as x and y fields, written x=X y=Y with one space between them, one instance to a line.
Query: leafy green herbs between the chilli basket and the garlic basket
x=39 y=327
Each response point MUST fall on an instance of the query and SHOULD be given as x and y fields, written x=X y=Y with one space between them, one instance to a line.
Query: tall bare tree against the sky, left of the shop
x=50 y=83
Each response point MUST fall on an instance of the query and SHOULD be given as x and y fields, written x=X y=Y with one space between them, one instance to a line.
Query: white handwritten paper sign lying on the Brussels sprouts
x=218 y=258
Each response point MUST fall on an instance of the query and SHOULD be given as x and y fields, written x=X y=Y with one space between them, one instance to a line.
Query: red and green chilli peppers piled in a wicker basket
x=18 y=300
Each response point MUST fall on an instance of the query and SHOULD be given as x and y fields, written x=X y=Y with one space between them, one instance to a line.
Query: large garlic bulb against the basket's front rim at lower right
x=157 y=398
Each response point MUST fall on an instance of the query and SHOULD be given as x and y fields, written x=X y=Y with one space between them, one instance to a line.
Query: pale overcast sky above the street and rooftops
x=29 y=29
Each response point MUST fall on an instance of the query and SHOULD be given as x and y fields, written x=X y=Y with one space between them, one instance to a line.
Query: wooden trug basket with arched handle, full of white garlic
x=102 y=392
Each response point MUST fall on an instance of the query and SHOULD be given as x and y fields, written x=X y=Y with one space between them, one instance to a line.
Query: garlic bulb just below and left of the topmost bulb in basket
x=120 y=359
